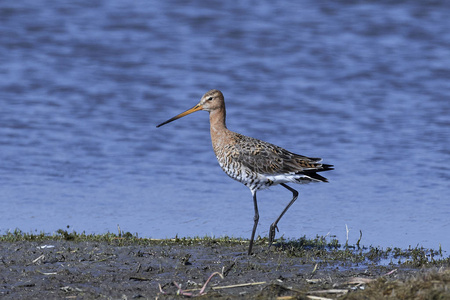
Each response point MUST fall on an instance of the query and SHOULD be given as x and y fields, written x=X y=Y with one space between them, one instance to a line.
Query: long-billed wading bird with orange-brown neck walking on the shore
x=255 y=163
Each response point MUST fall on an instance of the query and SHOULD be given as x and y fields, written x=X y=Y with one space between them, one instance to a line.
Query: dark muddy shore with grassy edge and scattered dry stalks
x=77 y=266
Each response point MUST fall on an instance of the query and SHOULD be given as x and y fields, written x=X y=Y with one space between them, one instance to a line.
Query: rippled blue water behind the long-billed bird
x=363 y=85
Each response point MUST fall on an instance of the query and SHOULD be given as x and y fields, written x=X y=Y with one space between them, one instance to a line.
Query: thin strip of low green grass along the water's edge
x=326 y=250
